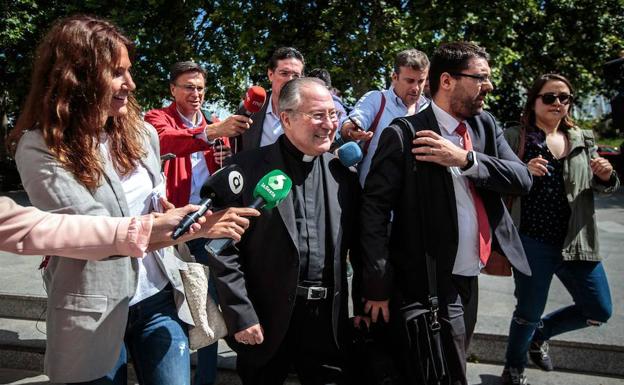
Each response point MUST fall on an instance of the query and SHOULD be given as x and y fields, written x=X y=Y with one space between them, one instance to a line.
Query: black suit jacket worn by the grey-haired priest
x=258 y=283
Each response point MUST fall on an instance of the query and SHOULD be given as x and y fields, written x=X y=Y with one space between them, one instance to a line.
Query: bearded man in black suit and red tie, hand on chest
x=442 y=172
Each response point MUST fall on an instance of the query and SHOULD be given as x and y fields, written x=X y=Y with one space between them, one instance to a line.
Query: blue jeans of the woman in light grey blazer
x=158 y=342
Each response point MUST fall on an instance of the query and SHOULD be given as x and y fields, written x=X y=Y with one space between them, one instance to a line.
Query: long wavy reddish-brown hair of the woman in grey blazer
x=70 y=96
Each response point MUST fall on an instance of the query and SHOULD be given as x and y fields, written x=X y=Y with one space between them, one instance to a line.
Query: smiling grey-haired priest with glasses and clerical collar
x=284 y=292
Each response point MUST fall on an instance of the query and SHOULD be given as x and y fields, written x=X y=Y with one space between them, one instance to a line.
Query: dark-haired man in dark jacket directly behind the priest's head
x=285 y=64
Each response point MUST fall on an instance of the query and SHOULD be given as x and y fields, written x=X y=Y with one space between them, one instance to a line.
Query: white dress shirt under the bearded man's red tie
x=467 y=261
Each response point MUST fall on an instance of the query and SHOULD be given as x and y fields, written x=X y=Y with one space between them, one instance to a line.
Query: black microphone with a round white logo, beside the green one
x=223 y=187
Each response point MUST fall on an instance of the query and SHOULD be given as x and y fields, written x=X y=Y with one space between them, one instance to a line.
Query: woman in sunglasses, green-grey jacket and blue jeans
x=557 y=225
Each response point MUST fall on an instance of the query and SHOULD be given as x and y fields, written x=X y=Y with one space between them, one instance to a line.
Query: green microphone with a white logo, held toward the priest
x=269 y=192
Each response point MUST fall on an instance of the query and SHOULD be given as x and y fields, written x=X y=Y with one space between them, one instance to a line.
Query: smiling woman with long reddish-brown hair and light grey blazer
x=82 y=148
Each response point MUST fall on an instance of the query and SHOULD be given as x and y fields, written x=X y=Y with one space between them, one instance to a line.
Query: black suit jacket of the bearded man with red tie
x=422 y=197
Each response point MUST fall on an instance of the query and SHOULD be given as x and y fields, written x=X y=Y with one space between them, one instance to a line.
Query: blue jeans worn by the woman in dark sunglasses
x=586 y=282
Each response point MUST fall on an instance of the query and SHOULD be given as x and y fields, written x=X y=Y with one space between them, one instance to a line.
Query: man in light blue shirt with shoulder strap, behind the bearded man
x=376 y=109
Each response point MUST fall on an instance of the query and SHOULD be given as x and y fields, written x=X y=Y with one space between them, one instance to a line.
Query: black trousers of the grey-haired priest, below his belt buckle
x=308 y=348
